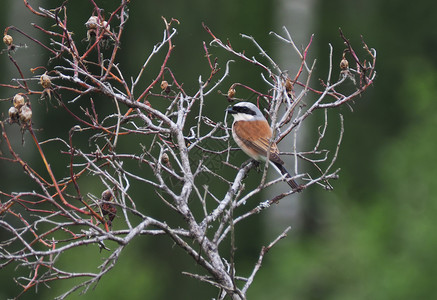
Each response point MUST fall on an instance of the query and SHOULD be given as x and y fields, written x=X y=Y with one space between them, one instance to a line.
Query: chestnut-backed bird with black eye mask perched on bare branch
x=253 y=135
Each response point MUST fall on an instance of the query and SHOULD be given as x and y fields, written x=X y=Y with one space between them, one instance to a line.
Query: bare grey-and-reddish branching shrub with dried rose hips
x=44 y=223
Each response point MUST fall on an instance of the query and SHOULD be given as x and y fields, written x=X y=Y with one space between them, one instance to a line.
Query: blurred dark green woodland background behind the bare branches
x=373 y=237
